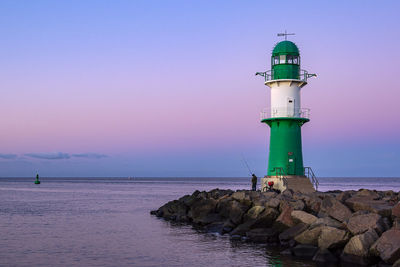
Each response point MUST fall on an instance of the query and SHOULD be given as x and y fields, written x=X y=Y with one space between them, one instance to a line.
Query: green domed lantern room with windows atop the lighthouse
x=285 y=61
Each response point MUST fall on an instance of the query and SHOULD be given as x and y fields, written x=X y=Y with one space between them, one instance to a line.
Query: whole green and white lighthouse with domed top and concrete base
x=285 y=117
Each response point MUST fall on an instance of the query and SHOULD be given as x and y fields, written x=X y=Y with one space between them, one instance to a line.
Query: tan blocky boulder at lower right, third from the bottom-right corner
x=332 y=238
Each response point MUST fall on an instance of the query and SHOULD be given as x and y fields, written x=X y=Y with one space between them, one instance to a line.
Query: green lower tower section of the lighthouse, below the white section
x=285 y=150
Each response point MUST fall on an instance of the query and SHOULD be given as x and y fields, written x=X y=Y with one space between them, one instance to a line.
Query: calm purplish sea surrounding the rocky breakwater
x=107 y=222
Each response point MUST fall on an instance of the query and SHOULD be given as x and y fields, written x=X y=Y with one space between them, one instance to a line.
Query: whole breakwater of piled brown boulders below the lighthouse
x=350 y=227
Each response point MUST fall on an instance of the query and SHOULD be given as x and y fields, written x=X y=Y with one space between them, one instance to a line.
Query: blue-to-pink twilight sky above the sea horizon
x=167 y=88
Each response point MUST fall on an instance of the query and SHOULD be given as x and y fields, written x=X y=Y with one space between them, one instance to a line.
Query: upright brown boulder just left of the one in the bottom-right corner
x=359 y=245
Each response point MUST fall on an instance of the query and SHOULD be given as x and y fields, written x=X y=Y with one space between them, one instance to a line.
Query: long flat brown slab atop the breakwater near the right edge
x=369 y=203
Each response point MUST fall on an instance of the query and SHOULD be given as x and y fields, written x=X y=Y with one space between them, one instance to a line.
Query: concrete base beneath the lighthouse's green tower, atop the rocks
x=296 y=183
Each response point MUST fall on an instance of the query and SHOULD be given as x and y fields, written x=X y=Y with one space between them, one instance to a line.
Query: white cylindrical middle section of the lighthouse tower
x=285 y=97
